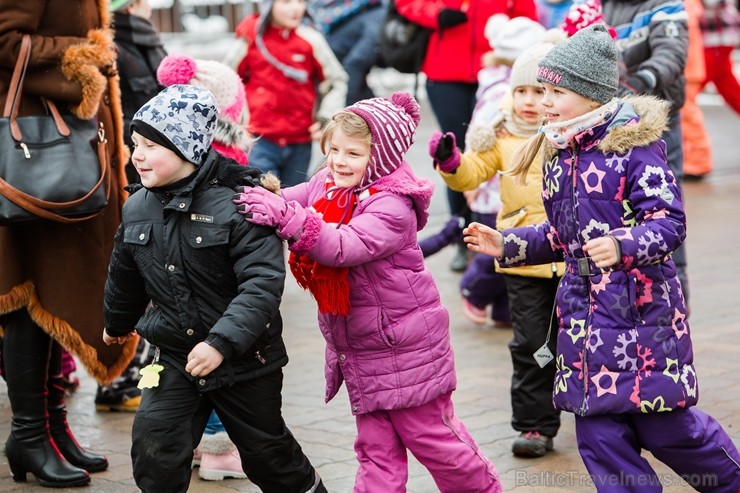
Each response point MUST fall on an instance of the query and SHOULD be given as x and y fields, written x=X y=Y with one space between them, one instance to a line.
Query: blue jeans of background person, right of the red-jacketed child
x=355 y=44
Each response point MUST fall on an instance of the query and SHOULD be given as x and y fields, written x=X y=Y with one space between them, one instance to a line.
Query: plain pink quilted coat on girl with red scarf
x=393 y=349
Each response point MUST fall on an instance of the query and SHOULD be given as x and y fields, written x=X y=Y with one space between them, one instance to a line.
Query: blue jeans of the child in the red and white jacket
x=289 y=163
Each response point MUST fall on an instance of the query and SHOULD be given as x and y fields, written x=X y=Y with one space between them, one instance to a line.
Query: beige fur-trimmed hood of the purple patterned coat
x=638 y=122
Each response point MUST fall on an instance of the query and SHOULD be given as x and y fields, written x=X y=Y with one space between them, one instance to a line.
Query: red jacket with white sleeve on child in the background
x=280 y=108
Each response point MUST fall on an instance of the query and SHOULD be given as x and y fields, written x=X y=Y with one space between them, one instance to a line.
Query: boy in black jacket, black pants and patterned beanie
x=215 y=282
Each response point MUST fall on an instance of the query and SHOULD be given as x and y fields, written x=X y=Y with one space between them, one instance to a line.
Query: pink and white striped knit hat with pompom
x=393 y=125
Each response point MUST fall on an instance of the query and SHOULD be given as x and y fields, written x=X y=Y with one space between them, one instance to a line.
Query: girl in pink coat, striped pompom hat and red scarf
x=352 y=232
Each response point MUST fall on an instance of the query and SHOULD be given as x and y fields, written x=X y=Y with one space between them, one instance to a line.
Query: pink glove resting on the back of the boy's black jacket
x=260 y=206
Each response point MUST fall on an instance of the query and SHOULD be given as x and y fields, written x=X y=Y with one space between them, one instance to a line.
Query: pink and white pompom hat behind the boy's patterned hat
x=231 y=138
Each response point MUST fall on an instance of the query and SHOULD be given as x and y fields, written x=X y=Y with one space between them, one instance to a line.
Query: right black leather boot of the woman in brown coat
x=58 y=427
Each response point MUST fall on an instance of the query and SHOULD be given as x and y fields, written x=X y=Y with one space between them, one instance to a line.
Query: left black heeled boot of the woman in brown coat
x=25 y=368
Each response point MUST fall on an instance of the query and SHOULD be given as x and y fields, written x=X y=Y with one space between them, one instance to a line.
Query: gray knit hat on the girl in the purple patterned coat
x=585 y=63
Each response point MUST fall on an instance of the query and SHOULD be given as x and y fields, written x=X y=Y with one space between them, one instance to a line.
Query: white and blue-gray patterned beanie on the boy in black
x=181 y=118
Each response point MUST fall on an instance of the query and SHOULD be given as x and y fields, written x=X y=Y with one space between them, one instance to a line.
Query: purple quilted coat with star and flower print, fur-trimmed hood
x=623 y=339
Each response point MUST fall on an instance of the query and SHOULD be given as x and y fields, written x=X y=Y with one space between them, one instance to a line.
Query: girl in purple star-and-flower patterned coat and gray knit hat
x=624 y=363
